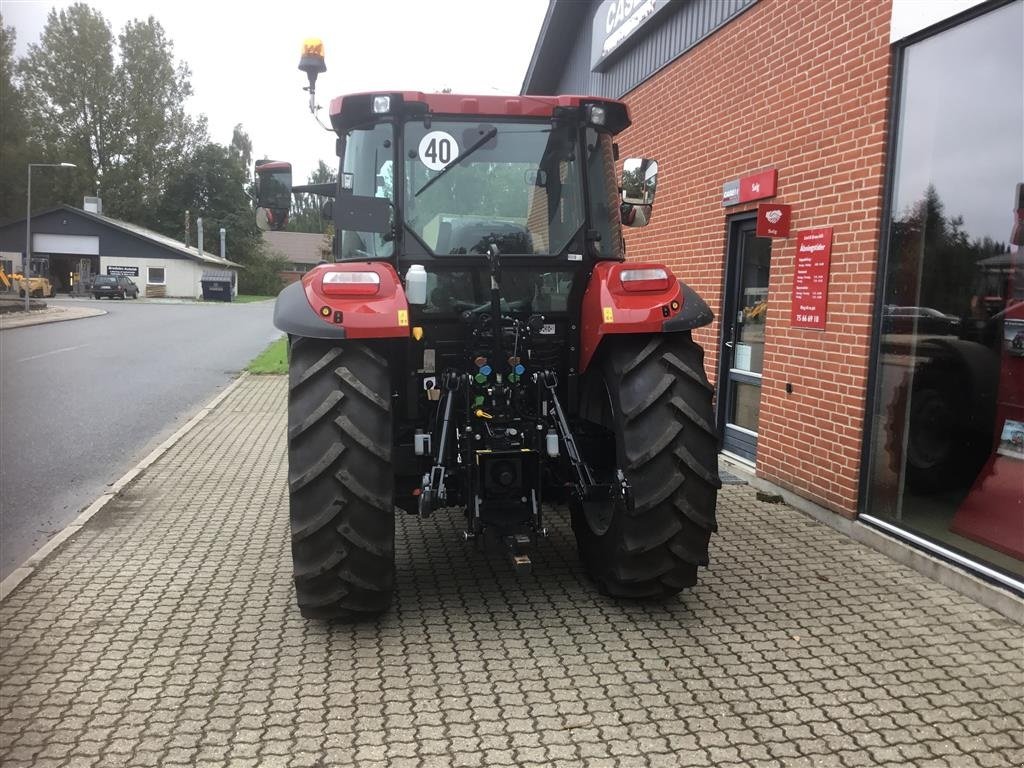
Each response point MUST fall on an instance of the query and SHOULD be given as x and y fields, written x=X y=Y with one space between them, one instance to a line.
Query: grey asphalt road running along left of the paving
x=82 y=402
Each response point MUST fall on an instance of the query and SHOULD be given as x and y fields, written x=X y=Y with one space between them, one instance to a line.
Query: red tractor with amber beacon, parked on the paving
x=480 y=344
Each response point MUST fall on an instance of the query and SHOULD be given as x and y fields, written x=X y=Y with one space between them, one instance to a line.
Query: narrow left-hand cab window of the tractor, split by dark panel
x=368 y=173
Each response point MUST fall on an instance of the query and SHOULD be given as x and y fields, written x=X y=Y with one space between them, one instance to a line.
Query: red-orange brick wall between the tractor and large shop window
x=802 y=87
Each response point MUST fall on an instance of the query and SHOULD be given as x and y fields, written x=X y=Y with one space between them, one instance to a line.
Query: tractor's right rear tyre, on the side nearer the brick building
x=652 y=392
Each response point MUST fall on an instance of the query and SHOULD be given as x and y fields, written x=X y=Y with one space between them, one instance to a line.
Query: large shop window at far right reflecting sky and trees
x=950 y=385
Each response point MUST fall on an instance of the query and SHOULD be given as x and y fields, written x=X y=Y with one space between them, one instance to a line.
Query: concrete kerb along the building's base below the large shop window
x=986 y=593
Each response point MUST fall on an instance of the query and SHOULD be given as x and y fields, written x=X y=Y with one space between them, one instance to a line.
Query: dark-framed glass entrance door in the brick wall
x=744 y=339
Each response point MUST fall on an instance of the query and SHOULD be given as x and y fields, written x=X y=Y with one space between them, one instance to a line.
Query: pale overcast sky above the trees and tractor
x=244 y=57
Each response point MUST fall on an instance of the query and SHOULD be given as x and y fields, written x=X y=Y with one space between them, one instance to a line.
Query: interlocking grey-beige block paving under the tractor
x=164 y=634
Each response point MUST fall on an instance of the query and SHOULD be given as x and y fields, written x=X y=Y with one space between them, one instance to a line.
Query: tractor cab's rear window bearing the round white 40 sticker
x=518 y=185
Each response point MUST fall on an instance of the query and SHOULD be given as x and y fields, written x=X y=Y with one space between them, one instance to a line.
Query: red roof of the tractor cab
x=356 y=108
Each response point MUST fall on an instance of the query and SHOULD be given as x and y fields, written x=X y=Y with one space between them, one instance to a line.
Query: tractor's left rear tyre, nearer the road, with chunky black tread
x=342 y=481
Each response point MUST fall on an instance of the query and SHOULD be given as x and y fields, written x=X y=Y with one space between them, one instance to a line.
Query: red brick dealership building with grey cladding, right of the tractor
x=895 y=126
